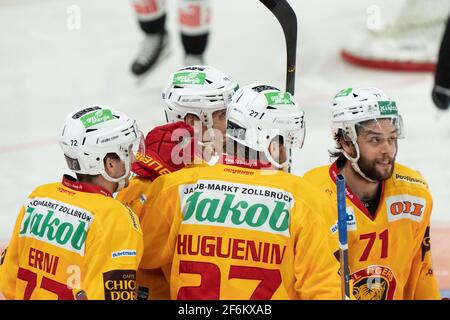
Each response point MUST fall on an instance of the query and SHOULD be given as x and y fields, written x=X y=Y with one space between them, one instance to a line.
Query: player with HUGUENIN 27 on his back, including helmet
x=244 y=229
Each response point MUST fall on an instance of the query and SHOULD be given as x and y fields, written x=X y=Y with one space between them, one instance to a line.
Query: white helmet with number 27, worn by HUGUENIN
x=258 y=113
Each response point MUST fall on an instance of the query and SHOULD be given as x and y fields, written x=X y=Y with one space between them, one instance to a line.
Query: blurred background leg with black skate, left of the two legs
x=151 y=15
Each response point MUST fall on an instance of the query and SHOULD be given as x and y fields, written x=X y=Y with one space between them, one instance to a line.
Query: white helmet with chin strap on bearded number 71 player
x=353 y=106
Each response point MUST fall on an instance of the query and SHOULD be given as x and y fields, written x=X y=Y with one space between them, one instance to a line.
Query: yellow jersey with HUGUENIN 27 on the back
x=236 y=233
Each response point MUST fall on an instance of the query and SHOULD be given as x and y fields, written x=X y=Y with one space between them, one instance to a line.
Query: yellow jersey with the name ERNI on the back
x=72 y=238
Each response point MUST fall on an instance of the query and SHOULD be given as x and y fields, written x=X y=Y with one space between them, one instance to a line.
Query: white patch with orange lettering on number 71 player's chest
x=405 y=206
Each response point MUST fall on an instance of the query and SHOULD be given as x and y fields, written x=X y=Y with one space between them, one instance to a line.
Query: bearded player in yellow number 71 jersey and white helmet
x=388 y=204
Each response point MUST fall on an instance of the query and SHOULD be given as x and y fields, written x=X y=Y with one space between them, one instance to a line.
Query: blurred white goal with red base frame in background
x=410 y=43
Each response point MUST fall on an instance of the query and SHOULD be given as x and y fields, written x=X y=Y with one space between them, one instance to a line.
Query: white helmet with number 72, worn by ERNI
x=89 y=134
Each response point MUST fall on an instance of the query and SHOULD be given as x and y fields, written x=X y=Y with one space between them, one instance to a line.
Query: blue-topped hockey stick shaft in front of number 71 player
x=343 y=243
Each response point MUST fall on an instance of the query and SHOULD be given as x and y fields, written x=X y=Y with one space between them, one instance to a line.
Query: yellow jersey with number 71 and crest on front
x=389 y=254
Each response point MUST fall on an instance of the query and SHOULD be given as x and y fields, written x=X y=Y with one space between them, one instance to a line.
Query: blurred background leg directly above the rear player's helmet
x=194 y=20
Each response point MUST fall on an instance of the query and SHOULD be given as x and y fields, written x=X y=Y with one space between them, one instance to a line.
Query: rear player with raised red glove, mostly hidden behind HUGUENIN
x=195 y=101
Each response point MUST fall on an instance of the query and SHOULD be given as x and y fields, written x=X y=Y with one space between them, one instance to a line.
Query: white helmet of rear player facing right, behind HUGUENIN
x=198 y=90
